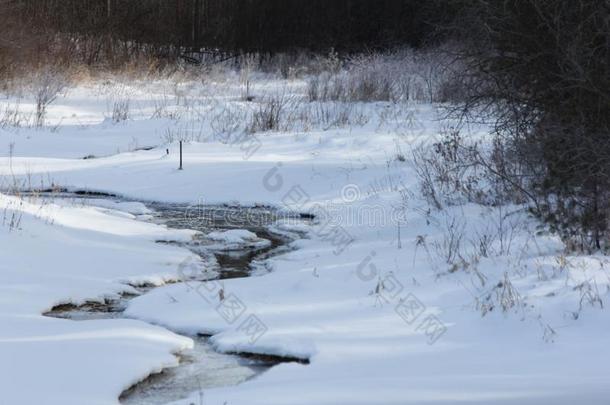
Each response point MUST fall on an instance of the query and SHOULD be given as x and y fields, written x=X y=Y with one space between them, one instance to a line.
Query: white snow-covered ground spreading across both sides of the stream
x=391 y=300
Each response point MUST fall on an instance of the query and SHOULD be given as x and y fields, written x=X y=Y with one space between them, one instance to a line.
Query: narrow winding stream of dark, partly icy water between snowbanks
x=200 y=368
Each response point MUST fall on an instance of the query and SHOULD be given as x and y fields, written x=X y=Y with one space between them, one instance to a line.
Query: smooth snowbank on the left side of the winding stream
x=62 y=254
